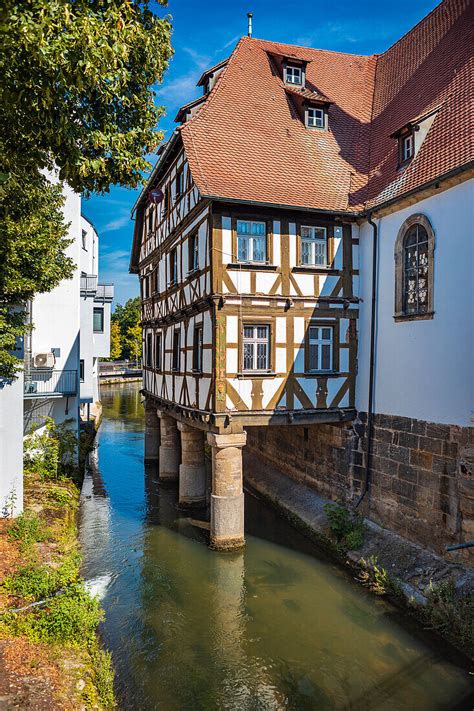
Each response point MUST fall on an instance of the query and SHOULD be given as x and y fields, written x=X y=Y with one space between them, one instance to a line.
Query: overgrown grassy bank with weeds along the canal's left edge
x=45 y=599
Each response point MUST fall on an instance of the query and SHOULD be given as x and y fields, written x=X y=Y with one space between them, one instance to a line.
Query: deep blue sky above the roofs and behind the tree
x=206 y=32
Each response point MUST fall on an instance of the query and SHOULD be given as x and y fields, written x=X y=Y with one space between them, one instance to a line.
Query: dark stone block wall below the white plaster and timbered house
x=422 y=473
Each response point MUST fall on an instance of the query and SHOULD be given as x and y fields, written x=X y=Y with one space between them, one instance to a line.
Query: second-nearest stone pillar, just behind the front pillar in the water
x=192 y=470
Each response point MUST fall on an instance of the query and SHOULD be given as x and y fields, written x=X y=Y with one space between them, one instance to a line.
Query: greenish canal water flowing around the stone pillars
x=273 y=627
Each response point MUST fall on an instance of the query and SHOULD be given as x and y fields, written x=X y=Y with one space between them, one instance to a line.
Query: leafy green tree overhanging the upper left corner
x=76 y=100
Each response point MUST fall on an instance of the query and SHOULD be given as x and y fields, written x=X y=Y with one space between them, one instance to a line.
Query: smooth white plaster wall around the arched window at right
x=423 y=368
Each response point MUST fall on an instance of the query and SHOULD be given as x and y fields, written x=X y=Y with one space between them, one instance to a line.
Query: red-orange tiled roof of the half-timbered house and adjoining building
x=248 y=142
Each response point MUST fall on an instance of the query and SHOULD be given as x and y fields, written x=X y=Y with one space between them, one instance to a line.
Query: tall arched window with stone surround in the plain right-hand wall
x=414 y=267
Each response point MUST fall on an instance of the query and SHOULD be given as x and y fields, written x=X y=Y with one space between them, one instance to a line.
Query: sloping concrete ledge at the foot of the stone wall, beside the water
x=414 y=567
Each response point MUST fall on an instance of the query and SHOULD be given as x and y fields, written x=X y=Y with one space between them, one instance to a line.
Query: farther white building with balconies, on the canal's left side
x=95 y=307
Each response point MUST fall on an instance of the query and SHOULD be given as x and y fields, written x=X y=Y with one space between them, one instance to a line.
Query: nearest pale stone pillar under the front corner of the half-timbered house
x=227 y=497
